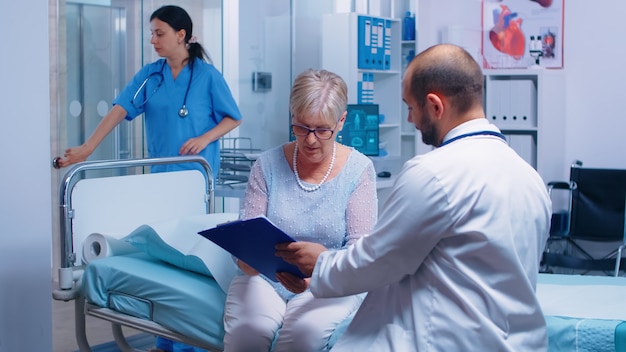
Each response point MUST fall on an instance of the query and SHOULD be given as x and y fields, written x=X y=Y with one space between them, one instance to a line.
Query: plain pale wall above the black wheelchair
x=594 y=53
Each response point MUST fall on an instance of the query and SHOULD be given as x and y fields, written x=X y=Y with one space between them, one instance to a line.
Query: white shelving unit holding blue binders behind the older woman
x=340 y=54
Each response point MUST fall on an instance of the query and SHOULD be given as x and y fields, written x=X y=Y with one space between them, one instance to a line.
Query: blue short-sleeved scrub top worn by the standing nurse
x=209 y=100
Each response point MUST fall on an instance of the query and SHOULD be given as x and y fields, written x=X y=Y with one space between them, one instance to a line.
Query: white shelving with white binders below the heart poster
x=527 y=105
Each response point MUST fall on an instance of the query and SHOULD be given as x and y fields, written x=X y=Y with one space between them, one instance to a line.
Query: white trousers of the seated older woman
x=257 y=318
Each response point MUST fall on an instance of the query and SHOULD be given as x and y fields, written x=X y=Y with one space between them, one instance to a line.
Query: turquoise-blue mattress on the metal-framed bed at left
x=145 y=287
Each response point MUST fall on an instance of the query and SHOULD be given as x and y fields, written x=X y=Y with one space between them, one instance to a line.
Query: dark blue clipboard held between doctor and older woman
x=253 y=241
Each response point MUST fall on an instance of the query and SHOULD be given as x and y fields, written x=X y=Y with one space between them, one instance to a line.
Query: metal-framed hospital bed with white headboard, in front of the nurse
x=140 y=288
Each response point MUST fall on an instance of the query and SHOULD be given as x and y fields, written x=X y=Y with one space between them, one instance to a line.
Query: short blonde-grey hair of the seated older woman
x=318 y=92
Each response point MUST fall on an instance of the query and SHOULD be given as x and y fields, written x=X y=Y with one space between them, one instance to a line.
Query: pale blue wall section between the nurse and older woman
x=264 y=45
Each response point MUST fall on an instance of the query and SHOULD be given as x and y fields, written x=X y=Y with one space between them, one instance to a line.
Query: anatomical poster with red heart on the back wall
x=522 y=33
